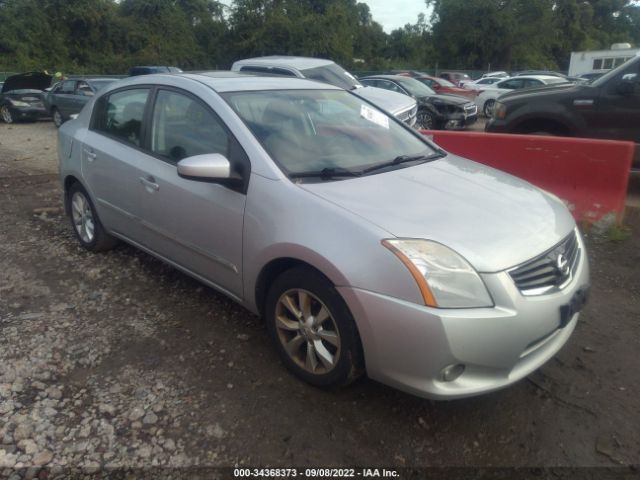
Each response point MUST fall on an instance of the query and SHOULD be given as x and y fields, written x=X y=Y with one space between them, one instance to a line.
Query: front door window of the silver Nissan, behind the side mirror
x=183 y=127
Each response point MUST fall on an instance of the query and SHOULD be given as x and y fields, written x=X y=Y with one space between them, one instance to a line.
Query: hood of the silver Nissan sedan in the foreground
x=493 y=219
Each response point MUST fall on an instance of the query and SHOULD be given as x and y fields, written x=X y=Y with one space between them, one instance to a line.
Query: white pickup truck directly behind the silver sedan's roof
x=326 y=71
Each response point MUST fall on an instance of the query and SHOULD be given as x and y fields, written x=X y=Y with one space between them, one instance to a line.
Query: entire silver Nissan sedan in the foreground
x=363 y=246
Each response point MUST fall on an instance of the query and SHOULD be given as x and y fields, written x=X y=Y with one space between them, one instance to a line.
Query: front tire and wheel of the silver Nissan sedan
x=324 y=354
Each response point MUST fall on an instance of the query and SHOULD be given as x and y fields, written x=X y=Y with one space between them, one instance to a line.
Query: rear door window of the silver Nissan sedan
x=121 y=115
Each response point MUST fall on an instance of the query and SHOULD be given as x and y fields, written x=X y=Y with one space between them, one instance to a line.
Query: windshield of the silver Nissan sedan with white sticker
x=307 y=131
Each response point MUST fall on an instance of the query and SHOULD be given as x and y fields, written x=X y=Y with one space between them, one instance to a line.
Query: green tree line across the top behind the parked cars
x=109 y=36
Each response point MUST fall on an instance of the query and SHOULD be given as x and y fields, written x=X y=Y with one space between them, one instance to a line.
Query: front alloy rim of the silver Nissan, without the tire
x=307 y=331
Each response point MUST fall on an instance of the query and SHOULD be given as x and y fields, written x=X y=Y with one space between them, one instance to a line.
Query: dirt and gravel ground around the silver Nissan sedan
x=117 y=360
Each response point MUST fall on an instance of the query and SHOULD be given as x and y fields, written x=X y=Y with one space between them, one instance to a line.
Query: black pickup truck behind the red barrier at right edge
x=608 y=107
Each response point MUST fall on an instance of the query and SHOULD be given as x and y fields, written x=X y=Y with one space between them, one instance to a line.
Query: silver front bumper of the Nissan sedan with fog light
x=407 y=345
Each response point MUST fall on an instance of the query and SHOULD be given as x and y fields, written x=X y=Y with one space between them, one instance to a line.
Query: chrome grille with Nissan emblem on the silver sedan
x=550 y=271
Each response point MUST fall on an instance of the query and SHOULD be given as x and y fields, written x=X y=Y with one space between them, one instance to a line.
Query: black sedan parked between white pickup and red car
x=435 y=111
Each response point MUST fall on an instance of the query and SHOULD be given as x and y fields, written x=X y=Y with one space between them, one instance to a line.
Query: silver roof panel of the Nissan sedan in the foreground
x=233 y=81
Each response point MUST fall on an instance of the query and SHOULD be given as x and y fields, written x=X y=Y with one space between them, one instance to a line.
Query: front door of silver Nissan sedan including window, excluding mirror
x=197 y=225
